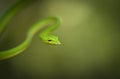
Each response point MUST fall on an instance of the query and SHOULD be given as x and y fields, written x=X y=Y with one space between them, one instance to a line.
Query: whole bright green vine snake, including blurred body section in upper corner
x=45 y=35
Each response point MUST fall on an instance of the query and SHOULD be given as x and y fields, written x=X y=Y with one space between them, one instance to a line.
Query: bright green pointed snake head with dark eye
x=50 y=39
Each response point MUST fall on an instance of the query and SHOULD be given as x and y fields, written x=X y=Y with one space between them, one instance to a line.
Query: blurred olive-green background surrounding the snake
x=89 y=33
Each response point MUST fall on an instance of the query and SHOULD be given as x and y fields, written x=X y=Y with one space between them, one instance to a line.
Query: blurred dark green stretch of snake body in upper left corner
x=11 y=12
